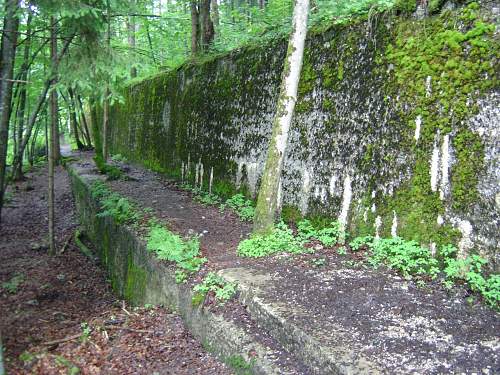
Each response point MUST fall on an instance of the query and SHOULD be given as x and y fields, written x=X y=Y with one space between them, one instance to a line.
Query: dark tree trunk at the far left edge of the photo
x=8 y=53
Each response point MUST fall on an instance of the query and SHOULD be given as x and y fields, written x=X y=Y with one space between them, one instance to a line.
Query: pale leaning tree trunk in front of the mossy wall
x=267 y=201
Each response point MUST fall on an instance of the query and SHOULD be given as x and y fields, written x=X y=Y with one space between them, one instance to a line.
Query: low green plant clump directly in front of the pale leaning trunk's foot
x=281 y=239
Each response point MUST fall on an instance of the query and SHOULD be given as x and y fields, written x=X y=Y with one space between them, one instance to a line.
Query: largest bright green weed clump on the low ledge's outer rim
x=171 y=247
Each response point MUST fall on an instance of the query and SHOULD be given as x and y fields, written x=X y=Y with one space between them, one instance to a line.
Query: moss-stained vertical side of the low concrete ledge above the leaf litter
x=137 y=276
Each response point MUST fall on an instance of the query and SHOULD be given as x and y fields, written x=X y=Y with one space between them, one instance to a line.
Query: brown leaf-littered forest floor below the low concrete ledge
x=59 y=315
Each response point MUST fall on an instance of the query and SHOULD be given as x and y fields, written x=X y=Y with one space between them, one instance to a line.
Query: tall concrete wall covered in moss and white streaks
x=396 y=130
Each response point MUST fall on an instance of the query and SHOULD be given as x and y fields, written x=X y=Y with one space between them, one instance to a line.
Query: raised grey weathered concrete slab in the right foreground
x=379 y=335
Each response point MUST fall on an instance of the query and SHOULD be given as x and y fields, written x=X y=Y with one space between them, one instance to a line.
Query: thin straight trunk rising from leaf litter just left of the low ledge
x=52 y=138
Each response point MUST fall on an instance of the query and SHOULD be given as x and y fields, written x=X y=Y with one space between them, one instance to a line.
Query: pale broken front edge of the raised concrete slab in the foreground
x=311 y=350
